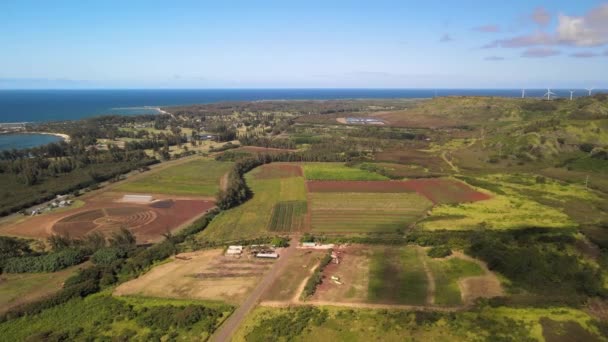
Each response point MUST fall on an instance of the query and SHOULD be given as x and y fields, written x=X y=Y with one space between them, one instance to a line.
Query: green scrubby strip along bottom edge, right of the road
x=347 y=324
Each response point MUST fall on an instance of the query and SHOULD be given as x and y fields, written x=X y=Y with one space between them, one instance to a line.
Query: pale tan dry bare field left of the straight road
x=204 y=275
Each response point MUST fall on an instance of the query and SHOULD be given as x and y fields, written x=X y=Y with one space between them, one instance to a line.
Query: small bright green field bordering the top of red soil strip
x=338 y=171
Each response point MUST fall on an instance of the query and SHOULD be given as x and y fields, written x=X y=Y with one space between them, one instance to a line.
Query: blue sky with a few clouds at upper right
x=303 y=44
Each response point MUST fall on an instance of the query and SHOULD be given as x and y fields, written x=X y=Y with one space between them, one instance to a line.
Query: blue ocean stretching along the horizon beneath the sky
x=57 y=105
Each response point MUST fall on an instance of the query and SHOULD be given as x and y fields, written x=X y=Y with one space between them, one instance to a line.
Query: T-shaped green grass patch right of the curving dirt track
x=446 y=274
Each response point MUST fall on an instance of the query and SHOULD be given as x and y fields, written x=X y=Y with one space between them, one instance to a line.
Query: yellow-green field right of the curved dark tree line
x=253 y=218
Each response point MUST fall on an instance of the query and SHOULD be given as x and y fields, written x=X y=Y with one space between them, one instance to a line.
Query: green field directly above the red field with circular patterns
x=199 y=177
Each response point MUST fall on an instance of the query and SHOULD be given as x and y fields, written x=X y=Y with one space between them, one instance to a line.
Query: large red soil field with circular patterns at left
x=147 y=221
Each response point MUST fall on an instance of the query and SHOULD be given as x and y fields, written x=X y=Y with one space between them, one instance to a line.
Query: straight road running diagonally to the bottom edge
x=236 y=319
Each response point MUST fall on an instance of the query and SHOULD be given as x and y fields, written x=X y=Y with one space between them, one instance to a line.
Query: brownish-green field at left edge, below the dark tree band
x=18 y=289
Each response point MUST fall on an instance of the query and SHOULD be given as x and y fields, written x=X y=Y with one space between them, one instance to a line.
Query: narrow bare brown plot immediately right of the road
x=287 y=286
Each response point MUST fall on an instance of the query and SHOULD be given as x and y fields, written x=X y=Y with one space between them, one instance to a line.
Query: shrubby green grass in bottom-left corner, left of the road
x=102 y=316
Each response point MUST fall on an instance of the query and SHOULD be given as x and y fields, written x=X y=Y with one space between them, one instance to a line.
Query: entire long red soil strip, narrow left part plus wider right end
x=438 y=190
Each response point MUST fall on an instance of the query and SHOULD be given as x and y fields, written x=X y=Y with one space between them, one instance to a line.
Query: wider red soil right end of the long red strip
x=441 y=191
